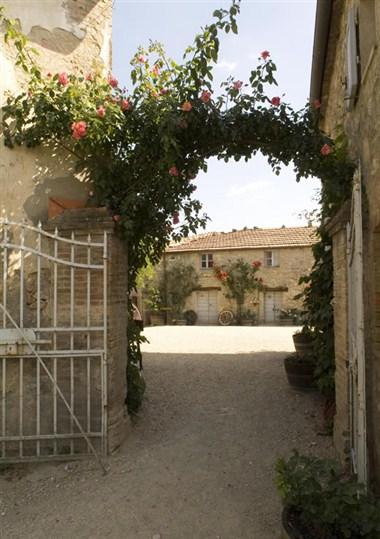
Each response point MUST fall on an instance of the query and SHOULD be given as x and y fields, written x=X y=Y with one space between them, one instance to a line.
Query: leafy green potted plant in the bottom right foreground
x=322 y=502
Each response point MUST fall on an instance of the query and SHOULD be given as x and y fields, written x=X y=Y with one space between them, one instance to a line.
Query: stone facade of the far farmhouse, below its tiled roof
x=293 y=262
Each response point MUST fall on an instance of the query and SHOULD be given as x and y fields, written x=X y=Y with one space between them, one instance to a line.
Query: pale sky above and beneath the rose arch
x=241 y=194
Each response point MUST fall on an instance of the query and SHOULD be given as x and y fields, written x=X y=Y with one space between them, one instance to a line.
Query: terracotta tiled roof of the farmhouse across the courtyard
x=253 y=238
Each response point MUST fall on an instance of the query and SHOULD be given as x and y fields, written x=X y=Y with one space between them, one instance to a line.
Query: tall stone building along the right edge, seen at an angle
x=346 y=79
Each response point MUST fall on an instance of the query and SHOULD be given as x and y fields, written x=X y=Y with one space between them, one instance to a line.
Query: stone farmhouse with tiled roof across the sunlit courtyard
x=284 y=253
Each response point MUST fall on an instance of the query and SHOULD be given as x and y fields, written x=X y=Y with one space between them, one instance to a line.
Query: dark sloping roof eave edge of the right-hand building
x=321 y=33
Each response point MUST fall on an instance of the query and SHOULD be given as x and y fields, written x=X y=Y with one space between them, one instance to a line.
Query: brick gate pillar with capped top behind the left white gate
x=97 y=221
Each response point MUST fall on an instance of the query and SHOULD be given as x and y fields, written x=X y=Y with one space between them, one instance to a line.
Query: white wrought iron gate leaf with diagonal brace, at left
x=53 y=344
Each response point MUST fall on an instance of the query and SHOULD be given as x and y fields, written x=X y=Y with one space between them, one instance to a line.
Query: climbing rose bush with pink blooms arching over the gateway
x=142 y=149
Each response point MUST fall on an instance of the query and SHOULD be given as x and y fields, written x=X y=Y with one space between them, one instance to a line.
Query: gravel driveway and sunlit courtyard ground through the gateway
x=198 y=463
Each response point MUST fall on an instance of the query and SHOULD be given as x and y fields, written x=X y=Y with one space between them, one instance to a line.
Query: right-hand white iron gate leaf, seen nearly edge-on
x=356 y=335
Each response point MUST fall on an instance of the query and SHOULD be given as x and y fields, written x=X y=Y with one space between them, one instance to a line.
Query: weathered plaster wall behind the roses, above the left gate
x=70 y=35
